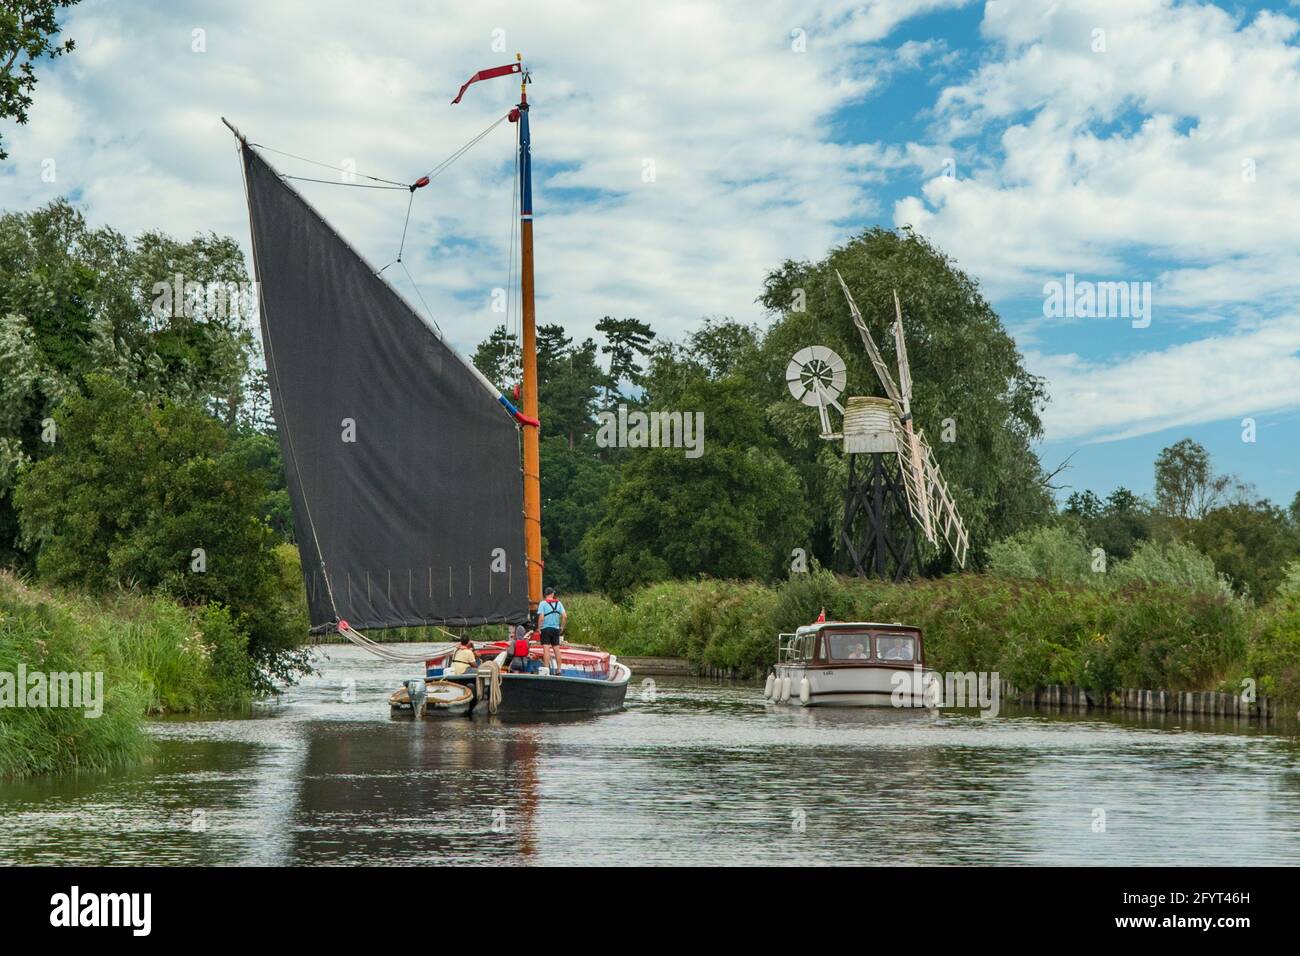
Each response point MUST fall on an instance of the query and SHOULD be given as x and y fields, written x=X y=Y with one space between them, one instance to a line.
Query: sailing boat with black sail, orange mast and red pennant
x=404 y=461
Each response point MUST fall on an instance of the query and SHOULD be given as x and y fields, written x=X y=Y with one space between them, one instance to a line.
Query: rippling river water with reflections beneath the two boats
x=691 y=773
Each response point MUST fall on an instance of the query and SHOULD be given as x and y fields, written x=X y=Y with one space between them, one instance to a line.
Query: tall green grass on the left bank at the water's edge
x=155 y=657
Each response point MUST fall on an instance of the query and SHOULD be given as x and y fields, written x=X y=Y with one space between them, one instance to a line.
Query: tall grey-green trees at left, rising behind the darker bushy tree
x=77 y=301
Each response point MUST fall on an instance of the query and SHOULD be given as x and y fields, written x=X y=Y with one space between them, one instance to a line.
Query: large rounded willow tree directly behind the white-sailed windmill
x=973 y=396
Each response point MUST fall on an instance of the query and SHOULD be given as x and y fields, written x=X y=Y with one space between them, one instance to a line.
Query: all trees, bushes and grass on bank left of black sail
x=141 y=488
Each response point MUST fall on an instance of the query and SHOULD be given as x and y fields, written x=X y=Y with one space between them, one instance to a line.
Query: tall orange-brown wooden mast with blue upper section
x=532 y=451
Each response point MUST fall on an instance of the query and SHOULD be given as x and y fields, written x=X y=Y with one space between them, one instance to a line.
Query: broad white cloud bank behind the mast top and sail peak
x=735 y=122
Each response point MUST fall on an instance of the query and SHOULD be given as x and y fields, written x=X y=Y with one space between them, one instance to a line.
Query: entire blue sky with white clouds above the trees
x=1103 y=139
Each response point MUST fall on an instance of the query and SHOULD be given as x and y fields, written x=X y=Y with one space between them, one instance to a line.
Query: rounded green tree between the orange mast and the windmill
x=735 y=512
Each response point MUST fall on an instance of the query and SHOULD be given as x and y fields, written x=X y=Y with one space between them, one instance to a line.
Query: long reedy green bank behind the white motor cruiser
x=1033 y=633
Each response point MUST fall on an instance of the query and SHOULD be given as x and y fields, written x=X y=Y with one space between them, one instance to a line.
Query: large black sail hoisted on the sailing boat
x=404 y=469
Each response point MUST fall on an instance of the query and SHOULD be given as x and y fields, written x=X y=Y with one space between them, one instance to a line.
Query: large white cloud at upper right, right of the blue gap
x=1072 y=191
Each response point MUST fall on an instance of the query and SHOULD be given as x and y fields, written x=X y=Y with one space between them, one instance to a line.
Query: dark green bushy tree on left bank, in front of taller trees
x=154 y=495
